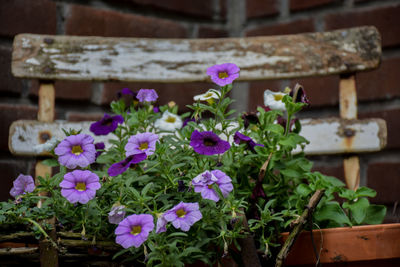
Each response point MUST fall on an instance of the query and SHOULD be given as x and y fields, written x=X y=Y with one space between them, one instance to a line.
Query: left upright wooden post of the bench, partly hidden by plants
x=48 y=253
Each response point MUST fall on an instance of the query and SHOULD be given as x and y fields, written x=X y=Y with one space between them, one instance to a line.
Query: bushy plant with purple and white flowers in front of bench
x=169 y=189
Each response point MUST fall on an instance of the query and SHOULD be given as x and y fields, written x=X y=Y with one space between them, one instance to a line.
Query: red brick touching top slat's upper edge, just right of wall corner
x=293 y=27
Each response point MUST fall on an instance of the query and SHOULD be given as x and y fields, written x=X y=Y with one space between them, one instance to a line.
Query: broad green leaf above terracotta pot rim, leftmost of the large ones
x=332 y=211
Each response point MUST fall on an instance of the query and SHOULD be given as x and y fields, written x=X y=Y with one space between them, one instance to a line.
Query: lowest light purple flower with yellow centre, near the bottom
x=134 y=230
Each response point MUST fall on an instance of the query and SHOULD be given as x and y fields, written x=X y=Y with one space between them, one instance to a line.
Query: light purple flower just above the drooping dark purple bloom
x=141 y=143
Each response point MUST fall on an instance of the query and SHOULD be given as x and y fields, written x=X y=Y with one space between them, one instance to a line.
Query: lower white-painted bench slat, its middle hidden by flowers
x=330 y=136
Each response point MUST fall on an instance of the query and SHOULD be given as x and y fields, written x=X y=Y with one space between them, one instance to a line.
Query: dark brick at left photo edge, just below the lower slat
x=10 y=169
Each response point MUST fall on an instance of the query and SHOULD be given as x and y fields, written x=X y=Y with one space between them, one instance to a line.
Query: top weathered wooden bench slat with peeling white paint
x=183 y=60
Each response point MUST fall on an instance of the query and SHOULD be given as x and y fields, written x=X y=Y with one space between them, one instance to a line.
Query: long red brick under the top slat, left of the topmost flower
x=181 y=93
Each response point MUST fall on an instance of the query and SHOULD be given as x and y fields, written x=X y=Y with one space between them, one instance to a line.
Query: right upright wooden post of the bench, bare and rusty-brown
x=348 y=110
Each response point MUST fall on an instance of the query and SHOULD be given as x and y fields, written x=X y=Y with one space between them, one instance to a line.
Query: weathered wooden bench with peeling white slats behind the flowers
x=345 y=52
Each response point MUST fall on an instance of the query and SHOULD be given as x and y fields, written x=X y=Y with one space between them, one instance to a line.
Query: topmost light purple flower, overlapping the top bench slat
x=223 y=74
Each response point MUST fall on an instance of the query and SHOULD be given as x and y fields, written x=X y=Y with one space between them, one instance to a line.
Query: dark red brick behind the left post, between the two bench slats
x=71 y=90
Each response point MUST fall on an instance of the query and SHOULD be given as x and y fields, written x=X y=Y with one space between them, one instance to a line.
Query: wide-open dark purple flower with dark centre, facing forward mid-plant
x=208 y=143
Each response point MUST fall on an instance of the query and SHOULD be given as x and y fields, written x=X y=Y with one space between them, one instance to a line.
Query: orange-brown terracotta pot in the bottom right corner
x=370 y=245
